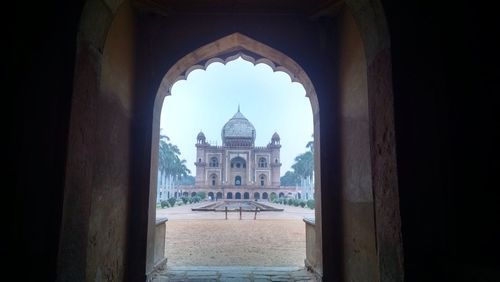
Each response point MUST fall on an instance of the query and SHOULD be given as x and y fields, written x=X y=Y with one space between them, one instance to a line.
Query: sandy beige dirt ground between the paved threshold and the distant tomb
x=207 y=239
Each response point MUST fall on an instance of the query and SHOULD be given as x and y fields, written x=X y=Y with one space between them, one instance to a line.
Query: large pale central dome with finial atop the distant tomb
x=238 y=131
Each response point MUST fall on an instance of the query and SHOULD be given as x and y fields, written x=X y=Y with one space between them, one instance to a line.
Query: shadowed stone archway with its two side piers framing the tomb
x=99 y=66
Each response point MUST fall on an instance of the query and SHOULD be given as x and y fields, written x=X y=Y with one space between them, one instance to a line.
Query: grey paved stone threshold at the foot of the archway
x=233 y=274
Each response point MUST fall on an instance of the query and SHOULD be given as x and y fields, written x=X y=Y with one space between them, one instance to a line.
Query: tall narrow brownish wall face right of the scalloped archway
x=360 y=254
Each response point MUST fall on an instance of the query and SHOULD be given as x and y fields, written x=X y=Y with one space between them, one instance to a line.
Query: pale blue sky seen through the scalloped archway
x=207 y=99
